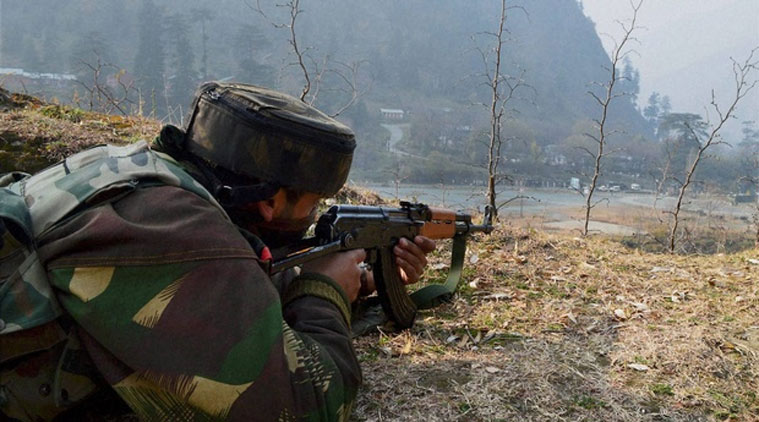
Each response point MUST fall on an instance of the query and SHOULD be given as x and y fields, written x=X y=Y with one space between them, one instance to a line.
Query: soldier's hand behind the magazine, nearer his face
x=343 y=267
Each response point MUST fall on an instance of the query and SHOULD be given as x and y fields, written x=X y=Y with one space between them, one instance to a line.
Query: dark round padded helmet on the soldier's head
x=269 y=136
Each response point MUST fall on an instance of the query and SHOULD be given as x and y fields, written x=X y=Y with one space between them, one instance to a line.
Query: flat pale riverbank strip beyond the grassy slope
x=642 y=216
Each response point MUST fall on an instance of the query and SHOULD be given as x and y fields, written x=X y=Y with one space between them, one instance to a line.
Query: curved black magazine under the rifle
x=392 y=292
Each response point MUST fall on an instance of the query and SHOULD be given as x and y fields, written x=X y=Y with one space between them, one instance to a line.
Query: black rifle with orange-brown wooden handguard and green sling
x=377 y=230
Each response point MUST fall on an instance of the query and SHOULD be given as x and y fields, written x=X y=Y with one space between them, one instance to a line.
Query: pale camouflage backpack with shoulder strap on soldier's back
x=43 y=370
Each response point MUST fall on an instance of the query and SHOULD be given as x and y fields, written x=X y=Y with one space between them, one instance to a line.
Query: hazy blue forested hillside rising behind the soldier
x=421 y=57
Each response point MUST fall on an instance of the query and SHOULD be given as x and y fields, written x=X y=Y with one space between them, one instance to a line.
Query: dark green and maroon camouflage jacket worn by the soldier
x=177 y=313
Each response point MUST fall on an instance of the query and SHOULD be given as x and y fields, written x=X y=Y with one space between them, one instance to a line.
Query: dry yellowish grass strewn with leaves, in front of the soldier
x=553 y=327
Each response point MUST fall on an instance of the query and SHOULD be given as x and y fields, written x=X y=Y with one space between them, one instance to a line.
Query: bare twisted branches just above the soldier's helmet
x=314 y=74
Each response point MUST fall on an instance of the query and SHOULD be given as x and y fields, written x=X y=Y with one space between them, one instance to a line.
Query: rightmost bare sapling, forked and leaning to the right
x=742 y=74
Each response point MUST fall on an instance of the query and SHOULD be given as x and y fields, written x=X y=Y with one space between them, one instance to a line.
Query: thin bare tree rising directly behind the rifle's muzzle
x=503 y=88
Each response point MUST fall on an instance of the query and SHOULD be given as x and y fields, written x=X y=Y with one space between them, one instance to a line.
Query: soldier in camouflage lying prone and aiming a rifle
x=170 y=299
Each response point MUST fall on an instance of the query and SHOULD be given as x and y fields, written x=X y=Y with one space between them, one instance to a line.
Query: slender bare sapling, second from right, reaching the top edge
x=619 y=52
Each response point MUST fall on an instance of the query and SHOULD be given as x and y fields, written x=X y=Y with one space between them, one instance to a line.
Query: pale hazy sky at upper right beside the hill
x=685 y=47
